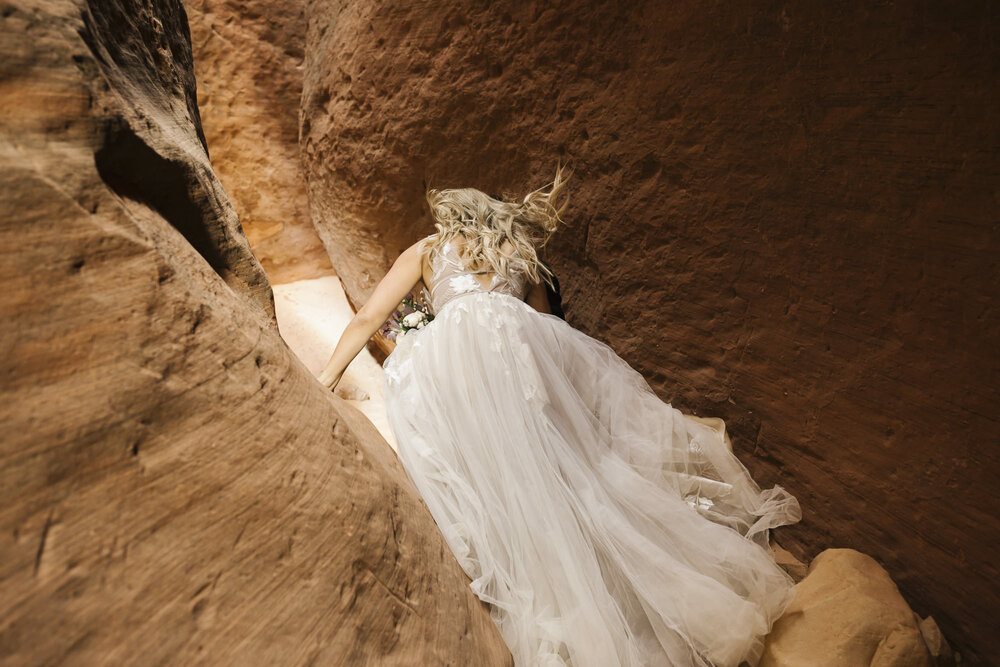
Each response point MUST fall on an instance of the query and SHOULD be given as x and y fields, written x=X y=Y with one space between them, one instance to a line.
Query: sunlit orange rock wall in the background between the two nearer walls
x=248 y=64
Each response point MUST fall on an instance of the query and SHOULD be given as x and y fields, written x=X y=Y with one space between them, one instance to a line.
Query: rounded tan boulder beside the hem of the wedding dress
x=846 y=612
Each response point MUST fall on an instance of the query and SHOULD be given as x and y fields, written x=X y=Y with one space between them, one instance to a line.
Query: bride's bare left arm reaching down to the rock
x=401 y=278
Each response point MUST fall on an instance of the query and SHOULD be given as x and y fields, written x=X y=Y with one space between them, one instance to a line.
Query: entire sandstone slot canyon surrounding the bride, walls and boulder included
x=783 y=215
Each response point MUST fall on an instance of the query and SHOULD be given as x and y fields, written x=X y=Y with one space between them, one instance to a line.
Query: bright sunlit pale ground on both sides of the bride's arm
x=311 y=316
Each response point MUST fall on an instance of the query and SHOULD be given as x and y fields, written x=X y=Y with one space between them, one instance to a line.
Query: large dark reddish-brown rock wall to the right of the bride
x=784 y=215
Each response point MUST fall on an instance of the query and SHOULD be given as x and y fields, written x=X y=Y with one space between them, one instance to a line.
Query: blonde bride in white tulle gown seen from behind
x=602 y=525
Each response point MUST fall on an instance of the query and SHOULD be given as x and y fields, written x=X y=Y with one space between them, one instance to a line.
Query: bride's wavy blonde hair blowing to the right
x=485 y=224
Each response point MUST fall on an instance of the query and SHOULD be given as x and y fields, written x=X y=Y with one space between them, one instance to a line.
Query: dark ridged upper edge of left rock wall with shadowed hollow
x=164 y=164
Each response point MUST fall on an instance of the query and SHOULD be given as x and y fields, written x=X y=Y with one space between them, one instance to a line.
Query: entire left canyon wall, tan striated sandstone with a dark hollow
x=176 y=488
